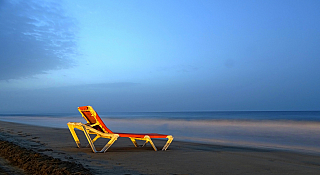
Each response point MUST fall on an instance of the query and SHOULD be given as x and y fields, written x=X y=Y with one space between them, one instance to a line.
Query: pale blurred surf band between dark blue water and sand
x=300 y=136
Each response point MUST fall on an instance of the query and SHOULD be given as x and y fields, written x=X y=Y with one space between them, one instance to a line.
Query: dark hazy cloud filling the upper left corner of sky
x=35 y=36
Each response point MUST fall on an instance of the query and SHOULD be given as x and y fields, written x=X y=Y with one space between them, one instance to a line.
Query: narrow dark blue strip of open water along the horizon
x=205 y=115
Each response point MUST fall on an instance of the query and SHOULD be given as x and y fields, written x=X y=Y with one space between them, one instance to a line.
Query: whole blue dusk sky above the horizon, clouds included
x=158 y=56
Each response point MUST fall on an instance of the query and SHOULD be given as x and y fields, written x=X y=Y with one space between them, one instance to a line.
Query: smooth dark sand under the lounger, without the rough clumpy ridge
x=180 y=158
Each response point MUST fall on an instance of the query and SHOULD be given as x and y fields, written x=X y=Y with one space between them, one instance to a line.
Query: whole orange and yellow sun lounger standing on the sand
x=95 y=126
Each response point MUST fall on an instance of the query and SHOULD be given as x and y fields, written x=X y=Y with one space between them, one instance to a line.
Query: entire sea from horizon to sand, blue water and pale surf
x=279 y=130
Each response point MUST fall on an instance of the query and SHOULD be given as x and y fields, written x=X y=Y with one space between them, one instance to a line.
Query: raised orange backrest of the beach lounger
x=93 y=118
